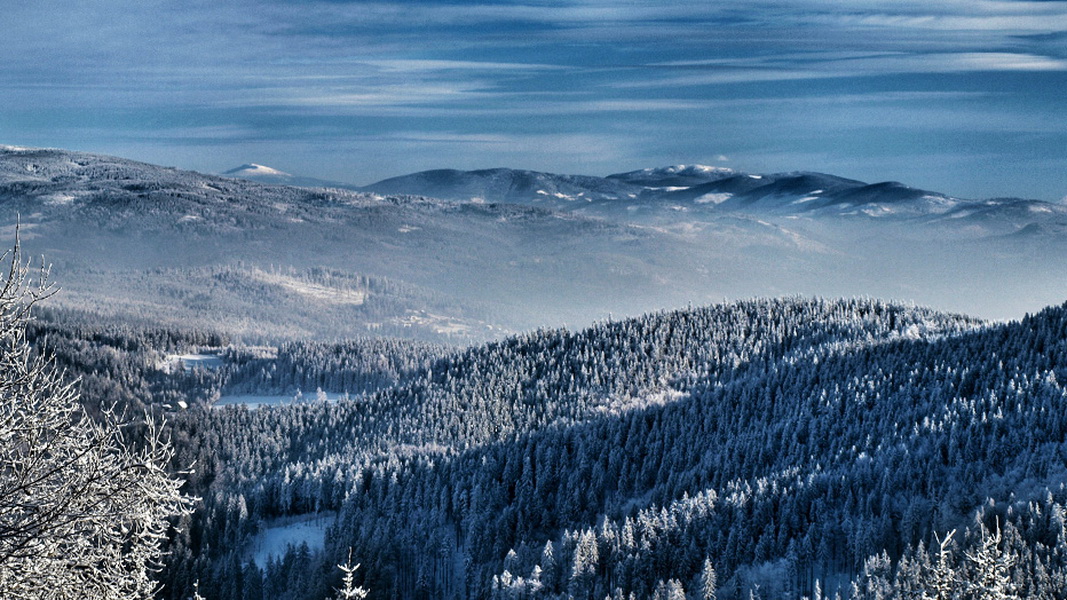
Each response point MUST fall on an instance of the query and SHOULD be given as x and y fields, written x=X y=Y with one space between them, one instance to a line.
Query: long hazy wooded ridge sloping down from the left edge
x=133 y=240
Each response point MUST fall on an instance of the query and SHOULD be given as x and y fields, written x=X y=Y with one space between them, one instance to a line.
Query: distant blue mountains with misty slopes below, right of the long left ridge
x=895 y=240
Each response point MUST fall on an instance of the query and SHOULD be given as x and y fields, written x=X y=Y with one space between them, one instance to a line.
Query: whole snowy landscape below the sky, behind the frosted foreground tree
x=493 y=393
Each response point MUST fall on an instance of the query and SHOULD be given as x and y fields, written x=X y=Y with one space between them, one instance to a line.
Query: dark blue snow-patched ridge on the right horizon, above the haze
x=660 y=195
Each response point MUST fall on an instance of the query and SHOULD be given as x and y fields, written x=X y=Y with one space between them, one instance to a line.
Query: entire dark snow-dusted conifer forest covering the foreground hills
x=781 y=448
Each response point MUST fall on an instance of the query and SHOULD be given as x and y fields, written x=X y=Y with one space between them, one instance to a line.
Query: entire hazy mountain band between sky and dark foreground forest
x=459 y=257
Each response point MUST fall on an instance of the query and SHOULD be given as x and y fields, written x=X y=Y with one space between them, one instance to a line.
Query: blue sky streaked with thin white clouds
x=967 y=98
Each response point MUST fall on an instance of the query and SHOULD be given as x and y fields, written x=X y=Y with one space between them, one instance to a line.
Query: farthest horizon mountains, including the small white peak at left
x=689 y=197
